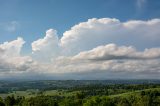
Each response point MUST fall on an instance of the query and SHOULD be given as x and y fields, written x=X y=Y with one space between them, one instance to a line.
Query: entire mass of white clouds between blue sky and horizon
x=95 y=49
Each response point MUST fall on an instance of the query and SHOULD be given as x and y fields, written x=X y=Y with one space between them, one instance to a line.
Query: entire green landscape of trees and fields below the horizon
x=80 y=93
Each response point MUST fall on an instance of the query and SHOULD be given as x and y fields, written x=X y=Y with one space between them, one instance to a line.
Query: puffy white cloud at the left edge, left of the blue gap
x=11 y=59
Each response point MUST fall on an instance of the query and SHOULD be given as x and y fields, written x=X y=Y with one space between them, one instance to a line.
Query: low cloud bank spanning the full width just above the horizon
x=102 y=62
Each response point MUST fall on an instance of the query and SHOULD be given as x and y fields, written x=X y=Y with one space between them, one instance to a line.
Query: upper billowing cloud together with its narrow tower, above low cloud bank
x=96 y=32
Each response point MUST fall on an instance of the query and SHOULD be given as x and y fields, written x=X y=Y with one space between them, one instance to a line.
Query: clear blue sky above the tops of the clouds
x=34 y=17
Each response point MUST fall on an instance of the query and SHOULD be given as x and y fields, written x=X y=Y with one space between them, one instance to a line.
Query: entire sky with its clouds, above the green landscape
x=79 y=39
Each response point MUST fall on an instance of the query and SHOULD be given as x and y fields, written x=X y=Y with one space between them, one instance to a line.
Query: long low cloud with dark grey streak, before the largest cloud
x=109 y=57
